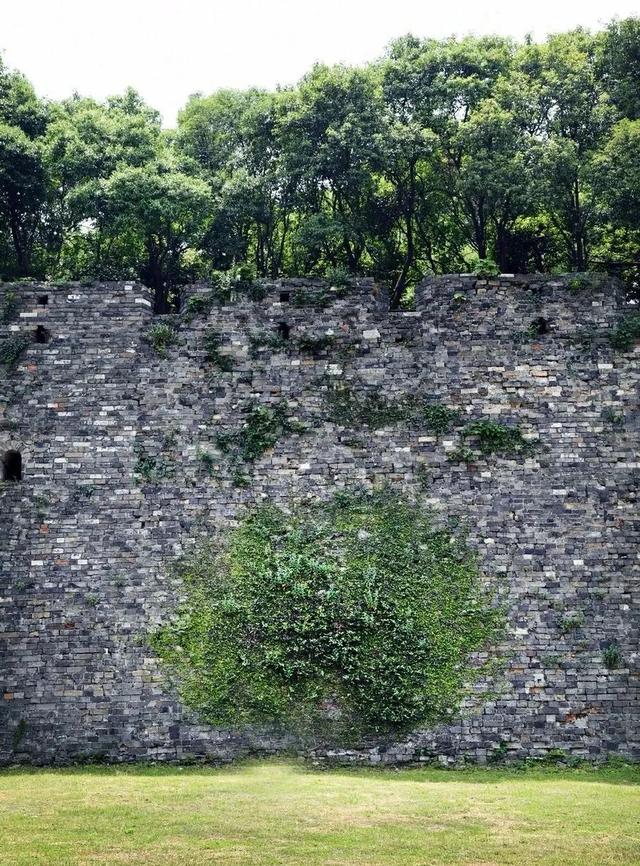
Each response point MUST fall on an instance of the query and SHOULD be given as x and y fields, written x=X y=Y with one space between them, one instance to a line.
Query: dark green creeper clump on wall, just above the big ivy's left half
x=262 y=428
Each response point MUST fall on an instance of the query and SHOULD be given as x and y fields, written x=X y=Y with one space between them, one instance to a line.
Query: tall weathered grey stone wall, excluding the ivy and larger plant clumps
x=121 y=472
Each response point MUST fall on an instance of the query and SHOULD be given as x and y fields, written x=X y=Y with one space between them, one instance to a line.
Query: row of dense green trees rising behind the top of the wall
x=441 y=156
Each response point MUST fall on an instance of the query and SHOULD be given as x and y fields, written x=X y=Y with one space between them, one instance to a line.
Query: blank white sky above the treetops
x=168 y=49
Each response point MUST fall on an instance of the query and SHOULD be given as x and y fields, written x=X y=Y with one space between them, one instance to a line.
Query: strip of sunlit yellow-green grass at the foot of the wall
x=280 y=813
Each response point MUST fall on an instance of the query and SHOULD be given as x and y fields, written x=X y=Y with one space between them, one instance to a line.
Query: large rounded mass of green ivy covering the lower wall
x=356 y=616
